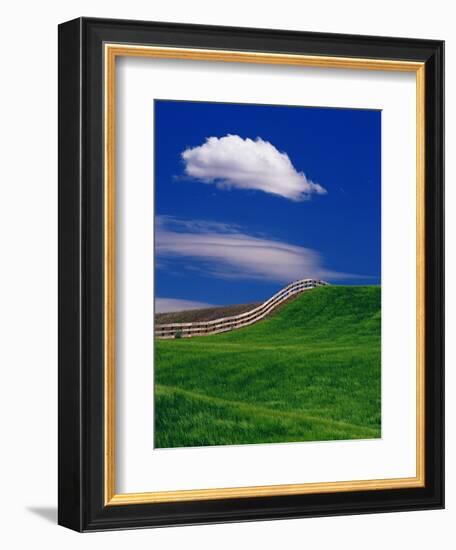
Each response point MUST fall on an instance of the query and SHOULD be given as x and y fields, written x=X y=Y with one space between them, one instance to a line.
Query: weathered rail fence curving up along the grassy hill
x=225 y=324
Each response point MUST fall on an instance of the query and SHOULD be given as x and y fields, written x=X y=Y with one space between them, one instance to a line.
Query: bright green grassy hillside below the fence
x=309 y=372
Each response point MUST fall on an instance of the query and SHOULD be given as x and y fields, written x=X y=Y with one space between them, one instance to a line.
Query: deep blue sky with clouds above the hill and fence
x=251 y=197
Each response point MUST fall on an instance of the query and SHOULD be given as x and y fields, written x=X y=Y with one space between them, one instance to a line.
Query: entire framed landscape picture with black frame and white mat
x=250 y=274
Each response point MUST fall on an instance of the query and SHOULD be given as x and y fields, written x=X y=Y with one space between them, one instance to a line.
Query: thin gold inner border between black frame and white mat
x=111 y=52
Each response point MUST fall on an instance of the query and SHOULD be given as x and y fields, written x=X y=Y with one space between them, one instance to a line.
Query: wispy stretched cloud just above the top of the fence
x=226 y=251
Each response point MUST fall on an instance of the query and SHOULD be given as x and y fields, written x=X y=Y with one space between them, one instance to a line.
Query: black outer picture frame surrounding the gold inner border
x=81 y=401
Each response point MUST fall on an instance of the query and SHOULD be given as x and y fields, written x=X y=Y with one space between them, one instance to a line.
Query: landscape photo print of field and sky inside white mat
x=267 y=274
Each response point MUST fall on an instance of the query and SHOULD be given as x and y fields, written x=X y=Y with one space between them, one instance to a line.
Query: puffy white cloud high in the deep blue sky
x=231 y=161
